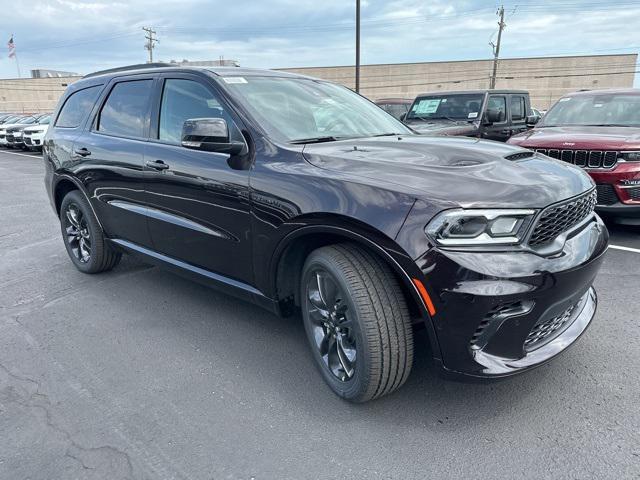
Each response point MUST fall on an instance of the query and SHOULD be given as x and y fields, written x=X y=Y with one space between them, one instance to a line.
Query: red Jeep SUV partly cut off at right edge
x=600 y=132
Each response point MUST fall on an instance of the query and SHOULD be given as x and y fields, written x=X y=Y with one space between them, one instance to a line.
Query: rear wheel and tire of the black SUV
x=83 y=237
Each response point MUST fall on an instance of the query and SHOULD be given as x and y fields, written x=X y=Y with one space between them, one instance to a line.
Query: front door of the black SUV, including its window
x=198 y=201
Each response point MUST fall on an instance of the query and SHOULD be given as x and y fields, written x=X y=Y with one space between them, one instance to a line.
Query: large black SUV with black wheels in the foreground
x=301 y=196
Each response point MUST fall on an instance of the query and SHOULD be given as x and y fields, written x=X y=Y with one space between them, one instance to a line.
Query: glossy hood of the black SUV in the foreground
x=453 y=171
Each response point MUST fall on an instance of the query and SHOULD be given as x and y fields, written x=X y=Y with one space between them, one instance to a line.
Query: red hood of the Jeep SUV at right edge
x=583 y=138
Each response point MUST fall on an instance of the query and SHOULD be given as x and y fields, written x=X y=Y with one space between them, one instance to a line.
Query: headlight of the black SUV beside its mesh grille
x=479 y=227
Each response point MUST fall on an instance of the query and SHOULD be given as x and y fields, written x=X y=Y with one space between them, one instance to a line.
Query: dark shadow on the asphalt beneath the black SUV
x=273 y=356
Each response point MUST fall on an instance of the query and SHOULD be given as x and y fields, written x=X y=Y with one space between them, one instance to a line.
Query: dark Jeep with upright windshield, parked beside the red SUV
x=489 y=114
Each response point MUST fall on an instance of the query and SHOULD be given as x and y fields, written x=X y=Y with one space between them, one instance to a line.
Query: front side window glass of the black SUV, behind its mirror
x=186 y=99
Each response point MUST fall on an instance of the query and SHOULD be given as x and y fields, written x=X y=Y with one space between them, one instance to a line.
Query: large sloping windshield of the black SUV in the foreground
x=298 y=109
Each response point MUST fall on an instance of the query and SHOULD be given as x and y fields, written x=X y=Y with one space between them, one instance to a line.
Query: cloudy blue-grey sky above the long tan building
x=84 y=36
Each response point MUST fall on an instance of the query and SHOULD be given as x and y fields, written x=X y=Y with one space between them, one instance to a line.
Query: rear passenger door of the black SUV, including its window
x=112 y=154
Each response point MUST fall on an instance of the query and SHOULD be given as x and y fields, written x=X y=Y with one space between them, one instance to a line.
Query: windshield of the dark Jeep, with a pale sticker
x=451 y=107
